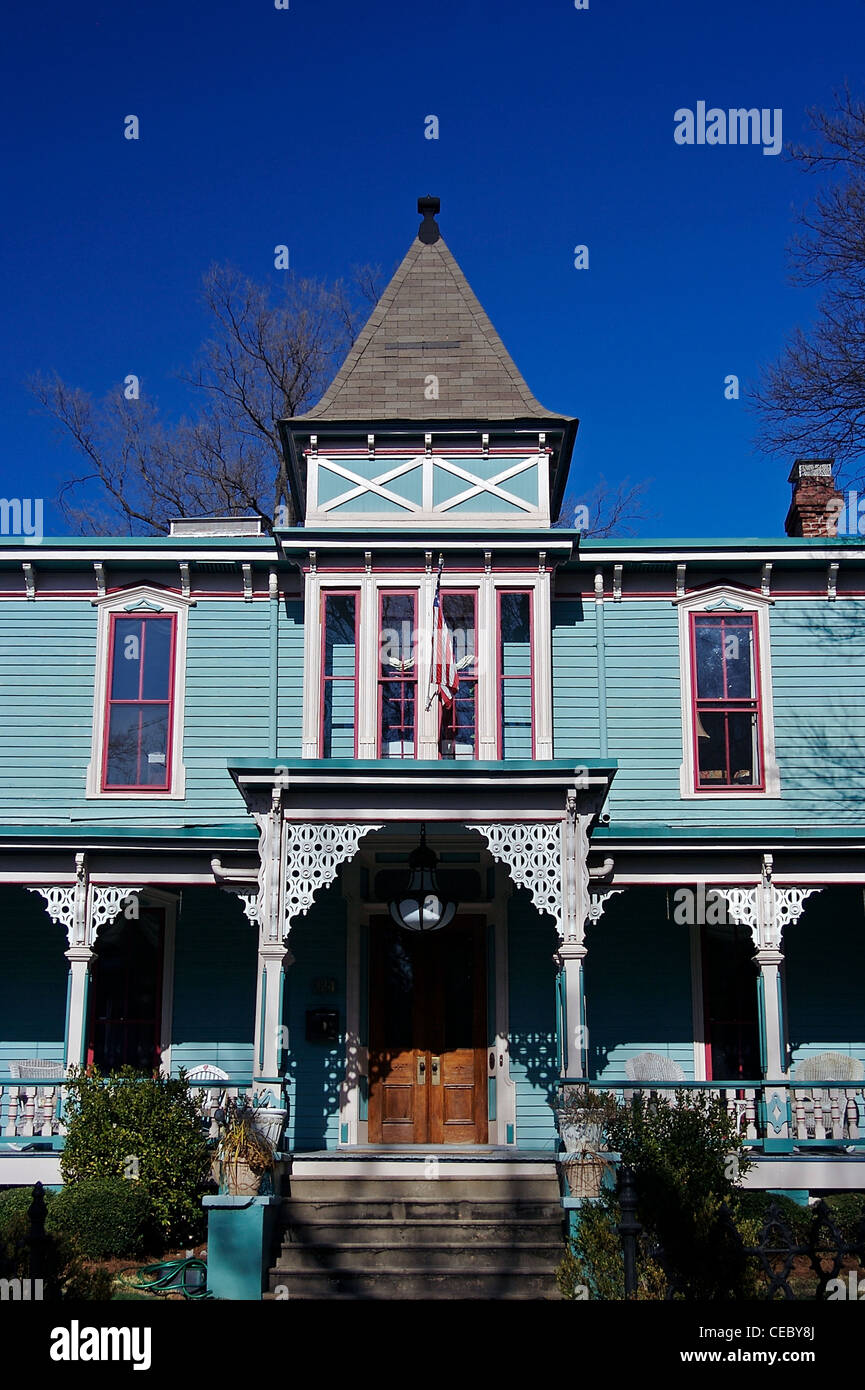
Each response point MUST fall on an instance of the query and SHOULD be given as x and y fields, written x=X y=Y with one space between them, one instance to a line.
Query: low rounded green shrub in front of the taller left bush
x=108 y=1218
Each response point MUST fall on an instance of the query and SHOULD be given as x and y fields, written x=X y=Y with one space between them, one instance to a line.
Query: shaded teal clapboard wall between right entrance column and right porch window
x=638 y=985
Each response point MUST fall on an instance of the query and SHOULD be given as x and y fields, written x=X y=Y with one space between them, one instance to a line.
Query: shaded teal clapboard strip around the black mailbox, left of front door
x=316 y=1071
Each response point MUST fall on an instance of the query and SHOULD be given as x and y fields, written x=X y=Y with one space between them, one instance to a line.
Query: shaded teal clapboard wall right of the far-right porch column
x=824 y=970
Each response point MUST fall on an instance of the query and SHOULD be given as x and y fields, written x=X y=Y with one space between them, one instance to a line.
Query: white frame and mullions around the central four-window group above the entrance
x=485 y=586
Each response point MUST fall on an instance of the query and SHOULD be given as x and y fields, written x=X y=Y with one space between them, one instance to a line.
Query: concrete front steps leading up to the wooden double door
x=375 y=1227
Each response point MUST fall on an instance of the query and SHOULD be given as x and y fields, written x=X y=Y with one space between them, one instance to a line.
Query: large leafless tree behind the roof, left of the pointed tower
x=272 y=354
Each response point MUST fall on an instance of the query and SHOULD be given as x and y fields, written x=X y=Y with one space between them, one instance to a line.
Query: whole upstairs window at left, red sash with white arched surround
x=138 y=711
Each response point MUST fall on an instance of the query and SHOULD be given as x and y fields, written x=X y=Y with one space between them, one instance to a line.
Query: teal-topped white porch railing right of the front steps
x=818 y=1113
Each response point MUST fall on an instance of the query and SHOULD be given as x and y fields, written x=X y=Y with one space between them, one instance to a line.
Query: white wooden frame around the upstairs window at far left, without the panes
x=141 y=598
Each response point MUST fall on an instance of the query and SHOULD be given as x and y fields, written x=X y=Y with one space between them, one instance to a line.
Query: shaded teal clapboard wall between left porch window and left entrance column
x=215 y=983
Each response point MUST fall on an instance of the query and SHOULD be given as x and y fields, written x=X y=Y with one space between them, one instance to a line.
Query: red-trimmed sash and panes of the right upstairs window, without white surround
x=728 y=725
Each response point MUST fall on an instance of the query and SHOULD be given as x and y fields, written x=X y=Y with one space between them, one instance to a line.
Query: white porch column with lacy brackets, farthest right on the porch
x=767 y=913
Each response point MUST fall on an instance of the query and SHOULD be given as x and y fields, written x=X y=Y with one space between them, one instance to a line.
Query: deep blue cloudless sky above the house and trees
x=307 y=127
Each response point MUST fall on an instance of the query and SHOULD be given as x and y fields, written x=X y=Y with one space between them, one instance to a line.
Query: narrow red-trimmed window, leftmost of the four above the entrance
x=340 y=675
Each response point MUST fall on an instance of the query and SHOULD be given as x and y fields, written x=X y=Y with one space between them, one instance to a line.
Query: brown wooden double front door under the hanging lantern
x=429 y=1035
